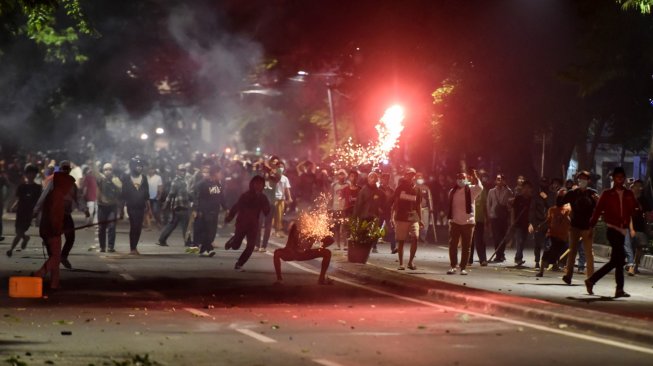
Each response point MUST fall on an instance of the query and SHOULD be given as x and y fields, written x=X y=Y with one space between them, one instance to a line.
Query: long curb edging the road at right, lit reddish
x=492 y=303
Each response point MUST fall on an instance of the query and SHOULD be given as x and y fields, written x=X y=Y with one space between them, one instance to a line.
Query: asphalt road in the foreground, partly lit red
x=179 y=309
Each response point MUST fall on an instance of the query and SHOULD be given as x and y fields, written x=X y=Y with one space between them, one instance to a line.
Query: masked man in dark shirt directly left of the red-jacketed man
x=582 y=200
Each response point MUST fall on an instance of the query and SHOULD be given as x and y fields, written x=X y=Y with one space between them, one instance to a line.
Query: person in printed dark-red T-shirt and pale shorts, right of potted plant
x=407 y=216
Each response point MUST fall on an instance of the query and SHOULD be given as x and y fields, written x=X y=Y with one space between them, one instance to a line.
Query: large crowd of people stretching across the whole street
x=265 y=195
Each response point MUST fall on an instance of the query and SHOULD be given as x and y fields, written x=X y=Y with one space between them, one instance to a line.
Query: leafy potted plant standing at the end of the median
x=362 y=236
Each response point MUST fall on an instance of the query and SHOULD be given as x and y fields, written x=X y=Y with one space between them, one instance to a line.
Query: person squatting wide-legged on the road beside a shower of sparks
x=300 y=249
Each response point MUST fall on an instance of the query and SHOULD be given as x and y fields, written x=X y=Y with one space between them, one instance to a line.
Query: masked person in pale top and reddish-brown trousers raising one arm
x=461 y=218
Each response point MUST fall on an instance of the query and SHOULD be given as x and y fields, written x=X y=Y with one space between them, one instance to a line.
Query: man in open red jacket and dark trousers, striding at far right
x=617 y=206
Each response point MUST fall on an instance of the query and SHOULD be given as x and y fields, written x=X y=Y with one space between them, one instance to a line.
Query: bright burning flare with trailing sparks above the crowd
x=389 y=130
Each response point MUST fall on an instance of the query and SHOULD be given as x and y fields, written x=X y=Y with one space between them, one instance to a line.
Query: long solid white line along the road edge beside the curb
x=520 y=323
